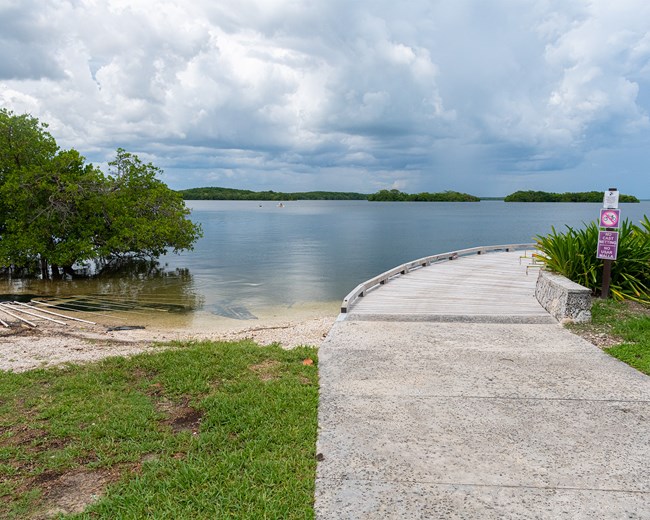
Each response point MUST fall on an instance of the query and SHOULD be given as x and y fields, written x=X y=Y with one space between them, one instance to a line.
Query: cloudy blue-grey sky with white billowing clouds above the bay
x=481 y=96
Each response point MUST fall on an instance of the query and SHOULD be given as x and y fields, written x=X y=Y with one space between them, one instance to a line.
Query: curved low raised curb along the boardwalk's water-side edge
x=360 y=290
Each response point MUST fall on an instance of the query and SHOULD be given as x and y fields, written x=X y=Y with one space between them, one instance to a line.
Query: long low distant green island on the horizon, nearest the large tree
x=232 y=194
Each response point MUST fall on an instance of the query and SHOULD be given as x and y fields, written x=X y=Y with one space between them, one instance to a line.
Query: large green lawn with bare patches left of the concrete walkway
x=206 y=430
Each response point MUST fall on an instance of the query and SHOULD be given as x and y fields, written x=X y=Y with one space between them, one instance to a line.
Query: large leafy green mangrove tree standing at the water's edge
x=58 y=211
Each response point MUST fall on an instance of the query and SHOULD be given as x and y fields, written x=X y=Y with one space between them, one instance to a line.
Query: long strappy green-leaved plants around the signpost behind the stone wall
x=573 y=254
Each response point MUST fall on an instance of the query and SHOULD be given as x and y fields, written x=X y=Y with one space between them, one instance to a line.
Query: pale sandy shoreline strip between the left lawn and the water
x=25 y=348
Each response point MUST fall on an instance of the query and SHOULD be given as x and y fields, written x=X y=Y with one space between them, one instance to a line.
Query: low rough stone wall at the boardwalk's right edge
x=562 y=298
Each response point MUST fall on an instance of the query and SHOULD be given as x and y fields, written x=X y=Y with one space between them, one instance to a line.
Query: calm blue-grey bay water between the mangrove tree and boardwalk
x=256 y=259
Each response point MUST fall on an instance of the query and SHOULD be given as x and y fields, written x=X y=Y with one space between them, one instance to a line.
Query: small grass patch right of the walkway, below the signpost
x=625 y=326
